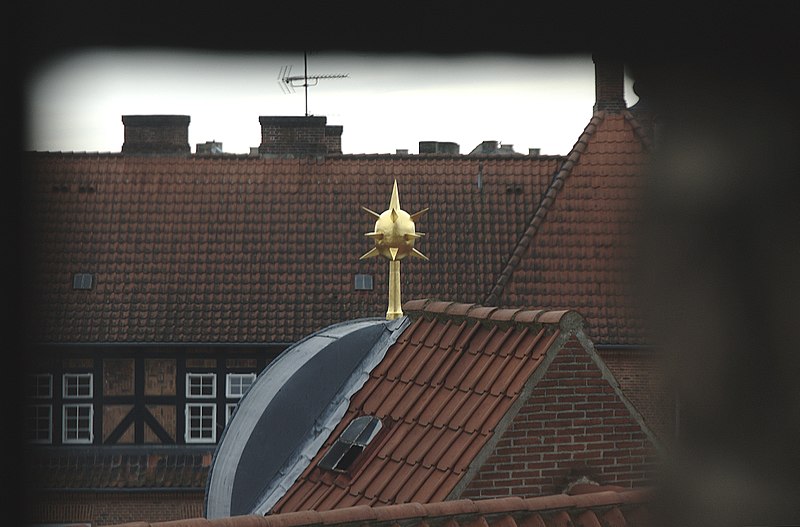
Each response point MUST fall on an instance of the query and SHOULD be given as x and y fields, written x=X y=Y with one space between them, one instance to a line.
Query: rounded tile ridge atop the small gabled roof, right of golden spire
x=456 y=311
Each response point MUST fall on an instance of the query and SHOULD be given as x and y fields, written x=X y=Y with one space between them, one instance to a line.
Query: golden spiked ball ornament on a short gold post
x=394 y=237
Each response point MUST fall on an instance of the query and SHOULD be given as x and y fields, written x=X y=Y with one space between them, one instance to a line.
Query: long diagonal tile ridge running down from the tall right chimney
x=544 y=206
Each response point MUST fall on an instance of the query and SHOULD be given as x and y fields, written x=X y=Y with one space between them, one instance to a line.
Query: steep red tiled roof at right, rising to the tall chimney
x=578 y=249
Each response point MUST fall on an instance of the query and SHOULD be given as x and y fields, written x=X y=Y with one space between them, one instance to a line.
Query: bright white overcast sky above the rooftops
x=389 y=102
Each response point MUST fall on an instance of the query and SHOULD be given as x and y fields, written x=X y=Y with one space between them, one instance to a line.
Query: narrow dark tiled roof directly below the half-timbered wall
x=97 y=467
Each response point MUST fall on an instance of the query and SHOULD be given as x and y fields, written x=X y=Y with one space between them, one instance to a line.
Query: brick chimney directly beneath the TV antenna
x=299 y=136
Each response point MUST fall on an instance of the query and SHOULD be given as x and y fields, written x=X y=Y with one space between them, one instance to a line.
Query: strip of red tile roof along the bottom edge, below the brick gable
x=607 y=508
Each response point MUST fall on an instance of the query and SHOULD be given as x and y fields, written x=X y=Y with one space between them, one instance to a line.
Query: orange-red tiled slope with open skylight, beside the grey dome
x=440 y=391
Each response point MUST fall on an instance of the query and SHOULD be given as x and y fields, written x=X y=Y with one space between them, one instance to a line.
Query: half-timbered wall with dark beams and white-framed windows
x=137 y=395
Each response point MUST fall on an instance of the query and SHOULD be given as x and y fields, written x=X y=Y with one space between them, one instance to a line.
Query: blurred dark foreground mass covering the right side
x=719 y=277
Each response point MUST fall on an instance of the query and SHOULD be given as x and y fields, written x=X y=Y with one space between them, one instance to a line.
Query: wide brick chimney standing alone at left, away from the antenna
x=156 y=134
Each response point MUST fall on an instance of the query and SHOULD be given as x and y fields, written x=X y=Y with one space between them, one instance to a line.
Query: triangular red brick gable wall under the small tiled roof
x=572 y=425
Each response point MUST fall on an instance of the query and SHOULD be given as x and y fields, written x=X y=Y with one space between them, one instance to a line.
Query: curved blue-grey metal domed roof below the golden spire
x=289 y=412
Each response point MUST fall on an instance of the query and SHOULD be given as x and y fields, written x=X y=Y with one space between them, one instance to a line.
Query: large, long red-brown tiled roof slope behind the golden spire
x=240 y=249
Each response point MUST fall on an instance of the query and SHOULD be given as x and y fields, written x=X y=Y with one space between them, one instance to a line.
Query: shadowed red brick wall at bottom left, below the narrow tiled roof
x=109 y=508
